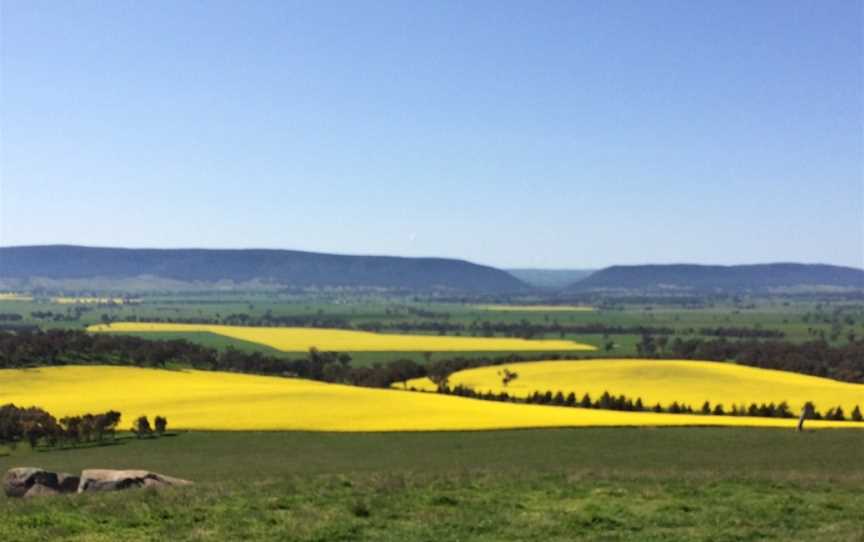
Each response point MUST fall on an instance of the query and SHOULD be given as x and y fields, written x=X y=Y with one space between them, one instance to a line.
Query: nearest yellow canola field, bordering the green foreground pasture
x=229 y=401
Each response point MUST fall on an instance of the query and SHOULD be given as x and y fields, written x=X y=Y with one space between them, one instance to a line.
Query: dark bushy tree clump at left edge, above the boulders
x=35 y=425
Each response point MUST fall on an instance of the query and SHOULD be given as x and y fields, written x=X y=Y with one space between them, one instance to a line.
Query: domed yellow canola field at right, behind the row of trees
x=662 y=381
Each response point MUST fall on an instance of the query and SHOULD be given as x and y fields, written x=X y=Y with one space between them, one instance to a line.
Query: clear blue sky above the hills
x=532 y=134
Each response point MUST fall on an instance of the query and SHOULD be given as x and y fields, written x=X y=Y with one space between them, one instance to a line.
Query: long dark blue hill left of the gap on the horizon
x=56 y=265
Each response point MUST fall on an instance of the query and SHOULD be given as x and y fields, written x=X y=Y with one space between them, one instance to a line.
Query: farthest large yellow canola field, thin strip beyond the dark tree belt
x=300 y=339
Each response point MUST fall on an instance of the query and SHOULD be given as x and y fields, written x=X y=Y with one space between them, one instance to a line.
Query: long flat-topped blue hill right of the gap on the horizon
x=760 y=277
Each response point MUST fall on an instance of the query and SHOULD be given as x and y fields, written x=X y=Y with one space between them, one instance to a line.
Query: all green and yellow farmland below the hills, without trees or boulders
x=297 y=459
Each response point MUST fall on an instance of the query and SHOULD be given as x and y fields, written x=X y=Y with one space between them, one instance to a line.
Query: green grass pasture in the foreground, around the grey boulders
x=567 y=484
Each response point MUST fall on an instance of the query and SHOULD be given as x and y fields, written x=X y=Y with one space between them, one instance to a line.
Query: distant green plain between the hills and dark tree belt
x=615 y=329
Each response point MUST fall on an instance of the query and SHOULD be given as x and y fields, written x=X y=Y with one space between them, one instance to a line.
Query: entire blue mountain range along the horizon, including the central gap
x=66 y=267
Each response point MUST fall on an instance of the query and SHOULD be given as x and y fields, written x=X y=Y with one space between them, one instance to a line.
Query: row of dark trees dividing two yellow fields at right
x=608 y=401
